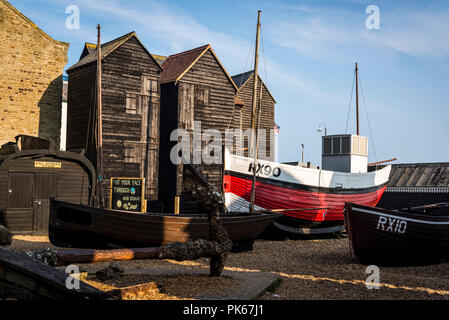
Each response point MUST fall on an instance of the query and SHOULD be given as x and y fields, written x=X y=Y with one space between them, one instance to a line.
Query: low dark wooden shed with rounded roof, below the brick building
x=30 y=176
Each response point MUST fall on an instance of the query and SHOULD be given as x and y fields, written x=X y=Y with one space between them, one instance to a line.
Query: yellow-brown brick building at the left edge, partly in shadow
x=31 y=67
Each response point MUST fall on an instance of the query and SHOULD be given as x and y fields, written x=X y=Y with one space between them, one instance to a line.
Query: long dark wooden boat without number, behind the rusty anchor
x=73 y=225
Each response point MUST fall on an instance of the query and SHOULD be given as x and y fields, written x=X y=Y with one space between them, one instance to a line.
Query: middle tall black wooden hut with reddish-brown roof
x=194 y=87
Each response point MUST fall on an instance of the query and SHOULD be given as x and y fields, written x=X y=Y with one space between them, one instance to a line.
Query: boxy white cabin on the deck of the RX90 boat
x=345 y=153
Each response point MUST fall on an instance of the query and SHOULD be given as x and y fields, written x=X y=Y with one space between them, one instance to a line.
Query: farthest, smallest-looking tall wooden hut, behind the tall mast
x=245 y=84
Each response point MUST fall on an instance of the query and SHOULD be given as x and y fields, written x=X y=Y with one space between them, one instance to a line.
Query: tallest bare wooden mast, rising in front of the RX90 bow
x=253 y=143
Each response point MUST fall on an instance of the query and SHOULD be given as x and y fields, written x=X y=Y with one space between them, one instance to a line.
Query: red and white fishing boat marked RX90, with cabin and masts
x=311 y=200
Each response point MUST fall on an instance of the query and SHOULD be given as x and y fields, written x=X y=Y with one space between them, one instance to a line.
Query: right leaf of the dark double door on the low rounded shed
x=45 y=186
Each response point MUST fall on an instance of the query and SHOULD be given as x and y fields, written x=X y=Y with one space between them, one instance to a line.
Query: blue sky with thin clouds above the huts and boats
x=307 y=60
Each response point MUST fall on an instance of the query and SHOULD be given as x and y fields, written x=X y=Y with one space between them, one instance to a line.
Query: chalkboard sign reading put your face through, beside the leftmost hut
x=128 y=194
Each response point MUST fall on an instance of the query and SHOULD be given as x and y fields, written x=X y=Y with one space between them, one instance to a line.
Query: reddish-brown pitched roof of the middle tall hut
x=177 y=65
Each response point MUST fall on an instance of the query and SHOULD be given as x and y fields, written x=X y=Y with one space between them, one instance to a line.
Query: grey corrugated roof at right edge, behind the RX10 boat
x=419 y=175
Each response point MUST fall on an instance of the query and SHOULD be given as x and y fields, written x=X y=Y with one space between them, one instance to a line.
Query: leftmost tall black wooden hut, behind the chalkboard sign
x=130 y=110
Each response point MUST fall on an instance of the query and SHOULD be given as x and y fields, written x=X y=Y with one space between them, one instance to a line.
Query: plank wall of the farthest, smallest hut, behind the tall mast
x=267 y=111
